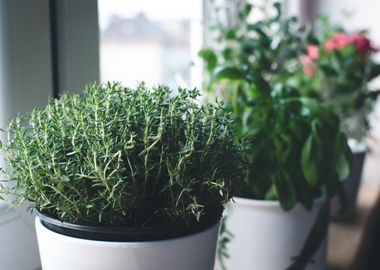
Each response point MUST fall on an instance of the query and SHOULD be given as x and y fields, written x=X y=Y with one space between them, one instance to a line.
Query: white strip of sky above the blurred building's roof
x=154 y=9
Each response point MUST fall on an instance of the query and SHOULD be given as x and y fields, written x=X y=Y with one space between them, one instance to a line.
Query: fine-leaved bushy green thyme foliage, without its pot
x=126 y=157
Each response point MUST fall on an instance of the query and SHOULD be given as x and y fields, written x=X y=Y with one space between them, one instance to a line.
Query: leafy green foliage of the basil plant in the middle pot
x=299 y=152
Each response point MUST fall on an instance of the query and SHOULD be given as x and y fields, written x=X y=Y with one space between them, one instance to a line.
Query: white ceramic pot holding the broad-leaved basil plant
x=266 y=237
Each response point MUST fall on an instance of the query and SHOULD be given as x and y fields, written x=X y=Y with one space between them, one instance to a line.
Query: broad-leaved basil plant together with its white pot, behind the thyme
x=300 y=157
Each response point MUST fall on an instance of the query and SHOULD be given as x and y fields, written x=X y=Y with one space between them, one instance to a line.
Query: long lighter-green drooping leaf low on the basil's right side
x=309 y=166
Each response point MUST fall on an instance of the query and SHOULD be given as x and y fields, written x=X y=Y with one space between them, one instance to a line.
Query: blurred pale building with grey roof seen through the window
x=138 y=49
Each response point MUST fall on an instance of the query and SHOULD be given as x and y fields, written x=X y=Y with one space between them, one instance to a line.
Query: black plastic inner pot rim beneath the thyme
x=126 y=234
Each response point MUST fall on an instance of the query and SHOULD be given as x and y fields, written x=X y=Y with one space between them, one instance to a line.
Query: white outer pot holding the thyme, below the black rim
x=61 y=252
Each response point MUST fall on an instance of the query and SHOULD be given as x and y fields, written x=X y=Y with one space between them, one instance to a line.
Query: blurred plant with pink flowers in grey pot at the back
x=338 y=67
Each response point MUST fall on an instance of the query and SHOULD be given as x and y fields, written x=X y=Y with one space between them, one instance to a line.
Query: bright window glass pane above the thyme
x=151 y=41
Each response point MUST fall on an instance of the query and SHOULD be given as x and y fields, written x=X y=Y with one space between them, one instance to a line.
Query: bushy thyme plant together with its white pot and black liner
x=124 y=178
